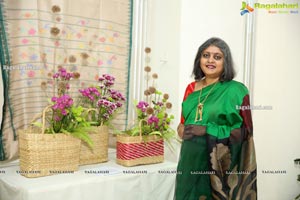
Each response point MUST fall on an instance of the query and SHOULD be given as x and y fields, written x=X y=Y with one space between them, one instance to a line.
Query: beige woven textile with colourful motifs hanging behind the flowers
x=92 y=37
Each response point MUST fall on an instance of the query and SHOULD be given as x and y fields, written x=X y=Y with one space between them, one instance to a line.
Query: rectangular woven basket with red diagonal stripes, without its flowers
x=139 y=150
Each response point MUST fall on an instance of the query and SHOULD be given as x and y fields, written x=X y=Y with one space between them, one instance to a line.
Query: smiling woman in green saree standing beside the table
x=217 y=159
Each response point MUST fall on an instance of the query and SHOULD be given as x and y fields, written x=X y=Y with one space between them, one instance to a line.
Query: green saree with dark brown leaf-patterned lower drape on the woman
x=220 y=163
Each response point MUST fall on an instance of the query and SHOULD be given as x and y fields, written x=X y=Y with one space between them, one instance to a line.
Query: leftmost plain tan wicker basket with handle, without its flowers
x=47 y=154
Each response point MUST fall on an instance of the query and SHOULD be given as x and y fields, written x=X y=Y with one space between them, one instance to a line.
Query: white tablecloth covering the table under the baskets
x=104 y=181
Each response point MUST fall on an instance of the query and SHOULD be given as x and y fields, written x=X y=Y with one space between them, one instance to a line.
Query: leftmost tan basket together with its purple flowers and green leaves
x=52 y=145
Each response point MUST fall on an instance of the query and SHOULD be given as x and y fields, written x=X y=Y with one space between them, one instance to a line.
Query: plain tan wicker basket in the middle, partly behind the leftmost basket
x=99 y=152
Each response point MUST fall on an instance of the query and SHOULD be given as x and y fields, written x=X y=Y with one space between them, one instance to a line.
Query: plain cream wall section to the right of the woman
x=277 y=84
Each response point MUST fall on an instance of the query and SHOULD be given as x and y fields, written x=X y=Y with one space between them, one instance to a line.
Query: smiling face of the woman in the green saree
x=212 y=62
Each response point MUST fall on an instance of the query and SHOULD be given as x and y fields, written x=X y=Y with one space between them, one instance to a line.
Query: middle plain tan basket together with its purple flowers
x=103 y=102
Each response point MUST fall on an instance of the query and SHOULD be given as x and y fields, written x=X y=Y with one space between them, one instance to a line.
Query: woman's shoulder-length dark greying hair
x=228 y=73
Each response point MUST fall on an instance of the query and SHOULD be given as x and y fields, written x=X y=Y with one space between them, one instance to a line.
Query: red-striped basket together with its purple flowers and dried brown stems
x=144 y=142
